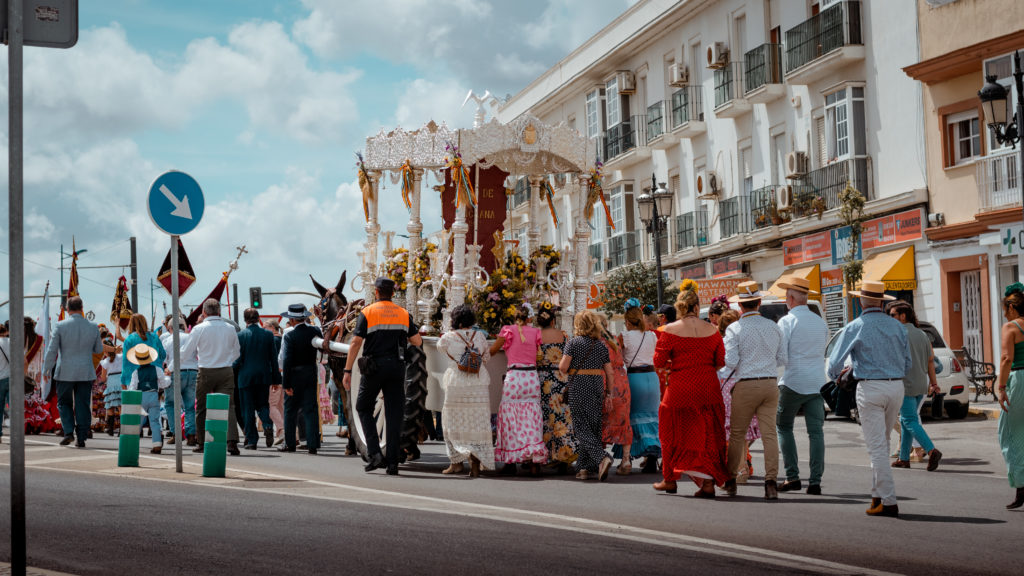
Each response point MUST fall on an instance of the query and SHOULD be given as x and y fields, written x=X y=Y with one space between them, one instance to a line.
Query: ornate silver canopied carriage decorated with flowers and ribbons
x=471 y=261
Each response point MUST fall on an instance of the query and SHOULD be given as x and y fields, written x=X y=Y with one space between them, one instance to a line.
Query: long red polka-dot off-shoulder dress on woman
x=692 y=418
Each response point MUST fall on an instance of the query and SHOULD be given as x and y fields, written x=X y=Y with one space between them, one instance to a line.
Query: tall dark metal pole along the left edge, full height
x=16 y=246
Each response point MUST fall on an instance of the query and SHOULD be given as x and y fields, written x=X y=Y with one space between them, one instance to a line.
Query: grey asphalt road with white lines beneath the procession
x=295 y=513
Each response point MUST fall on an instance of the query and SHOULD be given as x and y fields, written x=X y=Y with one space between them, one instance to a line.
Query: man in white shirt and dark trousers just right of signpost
x=216 y=344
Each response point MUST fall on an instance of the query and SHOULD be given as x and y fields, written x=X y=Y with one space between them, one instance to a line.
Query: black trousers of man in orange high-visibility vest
x=390 y=380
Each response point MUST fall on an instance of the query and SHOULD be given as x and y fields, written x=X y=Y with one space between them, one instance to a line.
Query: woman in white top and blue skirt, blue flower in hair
x=638 y=350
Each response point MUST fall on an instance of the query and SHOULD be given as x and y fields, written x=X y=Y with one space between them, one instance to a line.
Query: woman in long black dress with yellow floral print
x=558 y=420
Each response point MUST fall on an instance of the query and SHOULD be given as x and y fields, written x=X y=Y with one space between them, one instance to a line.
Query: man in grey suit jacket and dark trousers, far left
x=74 y=342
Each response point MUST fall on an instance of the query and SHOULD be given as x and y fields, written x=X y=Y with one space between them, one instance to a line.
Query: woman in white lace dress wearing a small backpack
x=466 y=414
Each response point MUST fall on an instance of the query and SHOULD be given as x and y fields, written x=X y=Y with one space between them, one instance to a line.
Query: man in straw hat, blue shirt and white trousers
x=880 y=354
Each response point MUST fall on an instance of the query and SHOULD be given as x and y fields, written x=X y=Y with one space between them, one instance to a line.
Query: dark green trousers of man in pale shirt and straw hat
x=815 y=416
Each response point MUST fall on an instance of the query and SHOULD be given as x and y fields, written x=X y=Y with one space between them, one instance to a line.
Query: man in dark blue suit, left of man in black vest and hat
x=258 y=372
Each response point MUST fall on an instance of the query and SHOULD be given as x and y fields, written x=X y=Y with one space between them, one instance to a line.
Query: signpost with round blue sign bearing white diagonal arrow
x=177 y=207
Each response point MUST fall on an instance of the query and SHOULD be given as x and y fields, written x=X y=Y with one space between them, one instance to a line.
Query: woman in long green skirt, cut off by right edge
x=1011 y=391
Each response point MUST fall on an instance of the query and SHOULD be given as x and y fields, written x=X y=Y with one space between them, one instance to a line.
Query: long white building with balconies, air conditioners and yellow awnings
x=743 y=107
